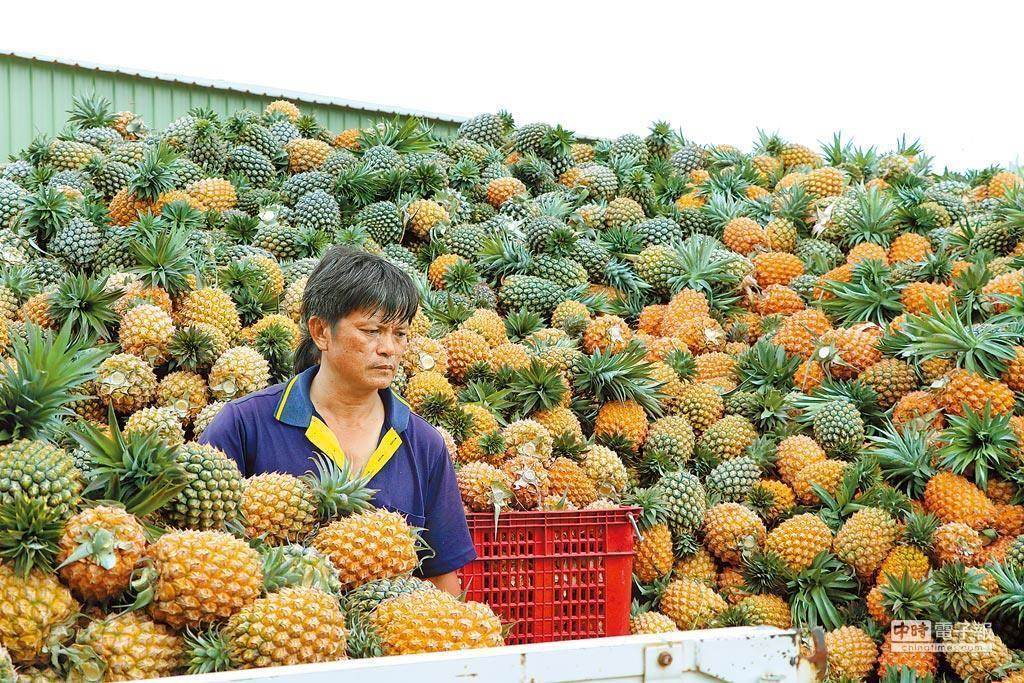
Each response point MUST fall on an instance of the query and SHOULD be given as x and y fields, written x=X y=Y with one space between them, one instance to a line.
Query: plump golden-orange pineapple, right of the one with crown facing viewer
x=202 y=578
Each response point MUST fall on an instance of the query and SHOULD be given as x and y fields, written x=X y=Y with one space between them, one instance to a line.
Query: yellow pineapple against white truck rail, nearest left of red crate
x=432 y=621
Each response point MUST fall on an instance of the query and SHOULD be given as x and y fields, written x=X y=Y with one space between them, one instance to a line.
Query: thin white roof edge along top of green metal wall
x=239 y=88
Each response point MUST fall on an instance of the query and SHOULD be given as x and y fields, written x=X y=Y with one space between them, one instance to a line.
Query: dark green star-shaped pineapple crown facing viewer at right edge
x=978 y=443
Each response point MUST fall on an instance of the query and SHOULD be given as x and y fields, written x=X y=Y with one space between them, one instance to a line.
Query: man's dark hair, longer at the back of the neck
x=348 y=281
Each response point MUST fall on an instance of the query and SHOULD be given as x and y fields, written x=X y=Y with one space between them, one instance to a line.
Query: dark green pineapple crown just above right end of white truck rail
x=821 y=589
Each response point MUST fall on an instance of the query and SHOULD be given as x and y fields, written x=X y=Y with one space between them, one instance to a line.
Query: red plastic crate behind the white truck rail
x=554 y=576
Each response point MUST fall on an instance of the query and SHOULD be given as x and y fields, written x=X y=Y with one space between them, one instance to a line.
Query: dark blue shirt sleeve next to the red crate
x=447 y=532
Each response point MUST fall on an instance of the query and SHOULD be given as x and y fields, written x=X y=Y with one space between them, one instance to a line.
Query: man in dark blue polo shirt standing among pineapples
x=356 y=312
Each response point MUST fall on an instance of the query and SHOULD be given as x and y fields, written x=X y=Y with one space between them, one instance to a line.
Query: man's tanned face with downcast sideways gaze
x=364 y=351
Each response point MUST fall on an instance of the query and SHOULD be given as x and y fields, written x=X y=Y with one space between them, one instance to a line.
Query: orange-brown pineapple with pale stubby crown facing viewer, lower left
x=99 y=551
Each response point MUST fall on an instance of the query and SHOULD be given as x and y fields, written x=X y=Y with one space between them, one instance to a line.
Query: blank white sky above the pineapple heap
x=949 y=75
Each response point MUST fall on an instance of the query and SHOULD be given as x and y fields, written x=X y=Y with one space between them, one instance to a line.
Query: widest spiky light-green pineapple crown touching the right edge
x=985 y=349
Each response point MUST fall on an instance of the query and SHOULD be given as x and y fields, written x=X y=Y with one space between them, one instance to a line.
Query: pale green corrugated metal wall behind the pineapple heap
x=35 y=96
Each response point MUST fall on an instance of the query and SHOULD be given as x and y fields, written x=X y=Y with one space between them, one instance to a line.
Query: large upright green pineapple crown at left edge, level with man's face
x=35 y=388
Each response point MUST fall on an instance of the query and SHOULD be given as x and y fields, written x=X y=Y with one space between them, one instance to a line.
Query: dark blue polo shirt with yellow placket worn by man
x=277 y=431
